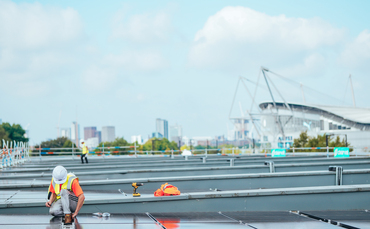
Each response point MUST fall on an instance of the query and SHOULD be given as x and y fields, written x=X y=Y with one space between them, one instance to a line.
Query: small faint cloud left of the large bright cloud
x=142 y=28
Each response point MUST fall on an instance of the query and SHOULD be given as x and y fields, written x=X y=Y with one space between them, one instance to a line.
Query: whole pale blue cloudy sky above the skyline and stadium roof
x=126 y=63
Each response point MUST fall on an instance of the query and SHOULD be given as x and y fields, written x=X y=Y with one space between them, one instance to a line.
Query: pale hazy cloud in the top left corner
x=29 y=26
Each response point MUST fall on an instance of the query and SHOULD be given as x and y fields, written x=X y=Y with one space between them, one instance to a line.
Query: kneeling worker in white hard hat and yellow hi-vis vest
x=65 y=194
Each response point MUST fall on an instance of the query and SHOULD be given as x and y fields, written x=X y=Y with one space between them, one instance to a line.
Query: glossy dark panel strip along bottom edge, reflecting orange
x=260 y=220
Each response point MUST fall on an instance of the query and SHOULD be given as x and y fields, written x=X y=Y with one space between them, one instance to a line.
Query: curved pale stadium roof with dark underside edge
x=355 y=117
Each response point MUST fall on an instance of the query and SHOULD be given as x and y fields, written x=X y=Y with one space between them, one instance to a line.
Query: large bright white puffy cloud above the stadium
x=237 y=36
